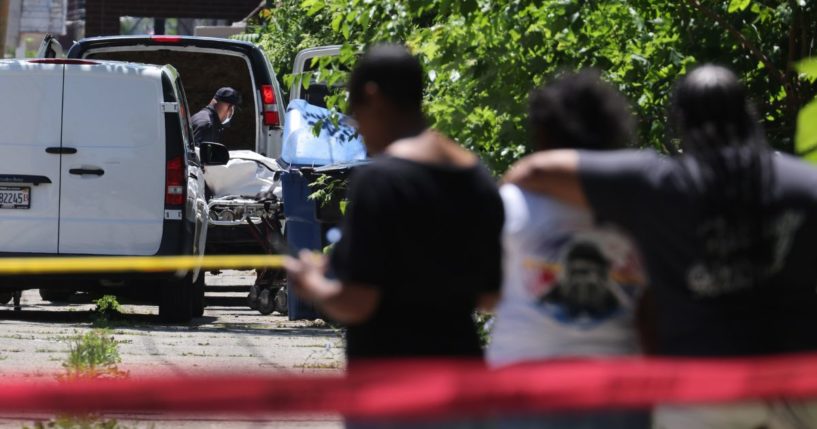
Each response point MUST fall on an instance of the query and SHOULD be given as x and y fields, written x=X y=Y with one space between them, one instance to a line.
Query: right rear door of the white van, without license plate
x=112 y=200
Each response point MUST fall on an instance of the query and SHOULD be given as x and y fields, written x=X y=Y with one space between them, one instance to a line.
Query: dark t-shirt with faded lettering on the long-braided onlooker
x=659 y=200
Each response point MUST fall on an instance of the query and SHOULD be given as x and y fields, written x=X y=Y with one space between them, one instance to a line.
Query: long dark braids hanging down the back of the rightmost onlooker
x=728 y=160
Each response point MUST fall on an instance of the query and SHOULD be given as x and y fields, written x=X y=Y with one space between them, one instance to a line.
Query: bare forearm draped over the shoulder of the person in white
x=554 y=173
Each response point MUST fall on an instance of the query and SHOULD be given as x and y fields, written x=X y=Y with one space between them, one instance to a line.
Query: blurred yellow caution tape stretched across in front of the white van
x=110 y=264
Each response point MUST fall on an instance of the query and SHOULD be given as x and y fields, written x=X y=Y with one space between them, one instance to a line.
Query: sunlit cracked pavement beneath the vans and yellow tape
x=230 y=337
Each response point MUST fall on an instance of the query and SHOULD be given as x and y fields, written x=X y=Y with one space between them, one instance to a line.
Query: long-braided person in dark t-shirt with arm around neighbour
x=727 y=230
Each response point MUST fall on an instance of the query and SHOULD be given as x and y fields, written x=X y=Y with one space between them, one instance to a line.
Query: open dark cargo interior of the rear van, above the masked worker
x=202 y=74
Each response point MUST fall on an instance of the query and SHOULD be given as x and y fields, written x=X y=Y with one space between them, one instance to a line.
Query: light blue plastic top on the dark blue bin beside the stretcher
x=336 y=144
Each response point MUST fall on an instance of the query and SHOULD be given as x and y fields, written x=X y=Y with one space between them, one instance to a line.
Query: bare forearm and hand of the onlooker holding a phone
x=347 y=303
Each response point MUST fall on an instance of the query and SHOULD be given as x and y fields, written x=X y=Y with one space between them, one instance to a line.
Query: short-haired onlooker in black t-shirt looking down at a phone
x=421 y=238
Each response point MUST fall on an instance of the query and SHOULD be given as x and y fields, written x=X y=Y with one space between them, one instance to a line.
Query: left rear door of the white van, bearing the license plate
x=30 y=148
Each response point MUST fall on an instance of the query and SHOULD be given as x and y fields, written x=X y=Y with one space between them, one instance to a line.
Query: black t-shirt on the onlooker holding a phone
x=428 y=237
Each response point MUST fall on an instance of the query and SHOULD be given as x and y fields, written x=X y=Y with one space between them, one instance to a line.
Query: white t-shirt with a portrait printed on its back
x=569 y=288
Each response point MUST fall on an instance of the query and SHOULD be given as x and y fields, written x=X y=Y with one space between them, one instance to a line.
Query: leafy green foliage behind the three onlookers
x=484 y=56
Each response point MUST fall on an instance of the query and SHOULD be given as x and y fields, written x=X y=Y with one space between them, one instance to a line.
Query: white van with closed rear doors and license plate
x=96 y=158
